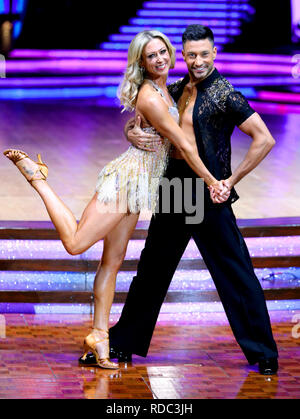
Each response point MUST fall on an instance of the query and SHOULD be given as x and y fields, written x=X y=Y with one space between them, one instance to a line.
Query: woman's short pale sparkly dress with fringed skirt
x=130 y=182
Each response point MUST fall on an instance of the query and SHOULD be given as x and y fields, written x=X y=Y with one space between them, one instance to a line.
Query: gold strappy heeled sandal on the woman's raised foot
x=39 y=173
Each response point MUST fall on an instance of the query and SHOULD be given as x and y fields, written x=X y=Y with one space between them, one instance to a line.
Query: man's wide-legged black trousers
x=226 y=256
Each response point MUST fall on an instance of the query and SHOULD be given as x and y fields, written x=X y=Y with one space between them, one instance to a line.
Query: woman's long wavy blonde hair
x=135 y=74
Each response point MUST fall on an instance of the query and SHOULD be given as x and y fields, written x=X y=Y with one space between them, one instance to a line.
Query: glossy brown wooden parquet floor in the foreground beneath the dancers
x=194 y=359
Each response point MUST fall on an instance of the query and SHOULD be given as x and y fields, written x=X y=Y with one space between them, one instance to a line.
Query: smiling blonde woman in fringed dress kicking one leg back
x=126 y=185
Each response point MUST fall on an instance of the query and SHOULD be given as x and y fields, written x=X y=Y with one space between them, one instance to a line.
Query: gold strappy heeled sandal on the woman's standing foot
x=90 y=343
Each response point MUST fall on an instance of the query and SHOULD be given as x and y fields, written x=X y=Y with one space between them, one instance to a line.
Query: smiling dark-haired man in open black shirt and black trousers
x=210 y=108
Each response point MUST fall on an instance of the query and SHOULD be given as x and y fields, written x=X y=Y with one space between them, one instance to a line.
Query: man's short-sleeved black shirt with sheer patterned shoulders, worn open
x=218 y=109
